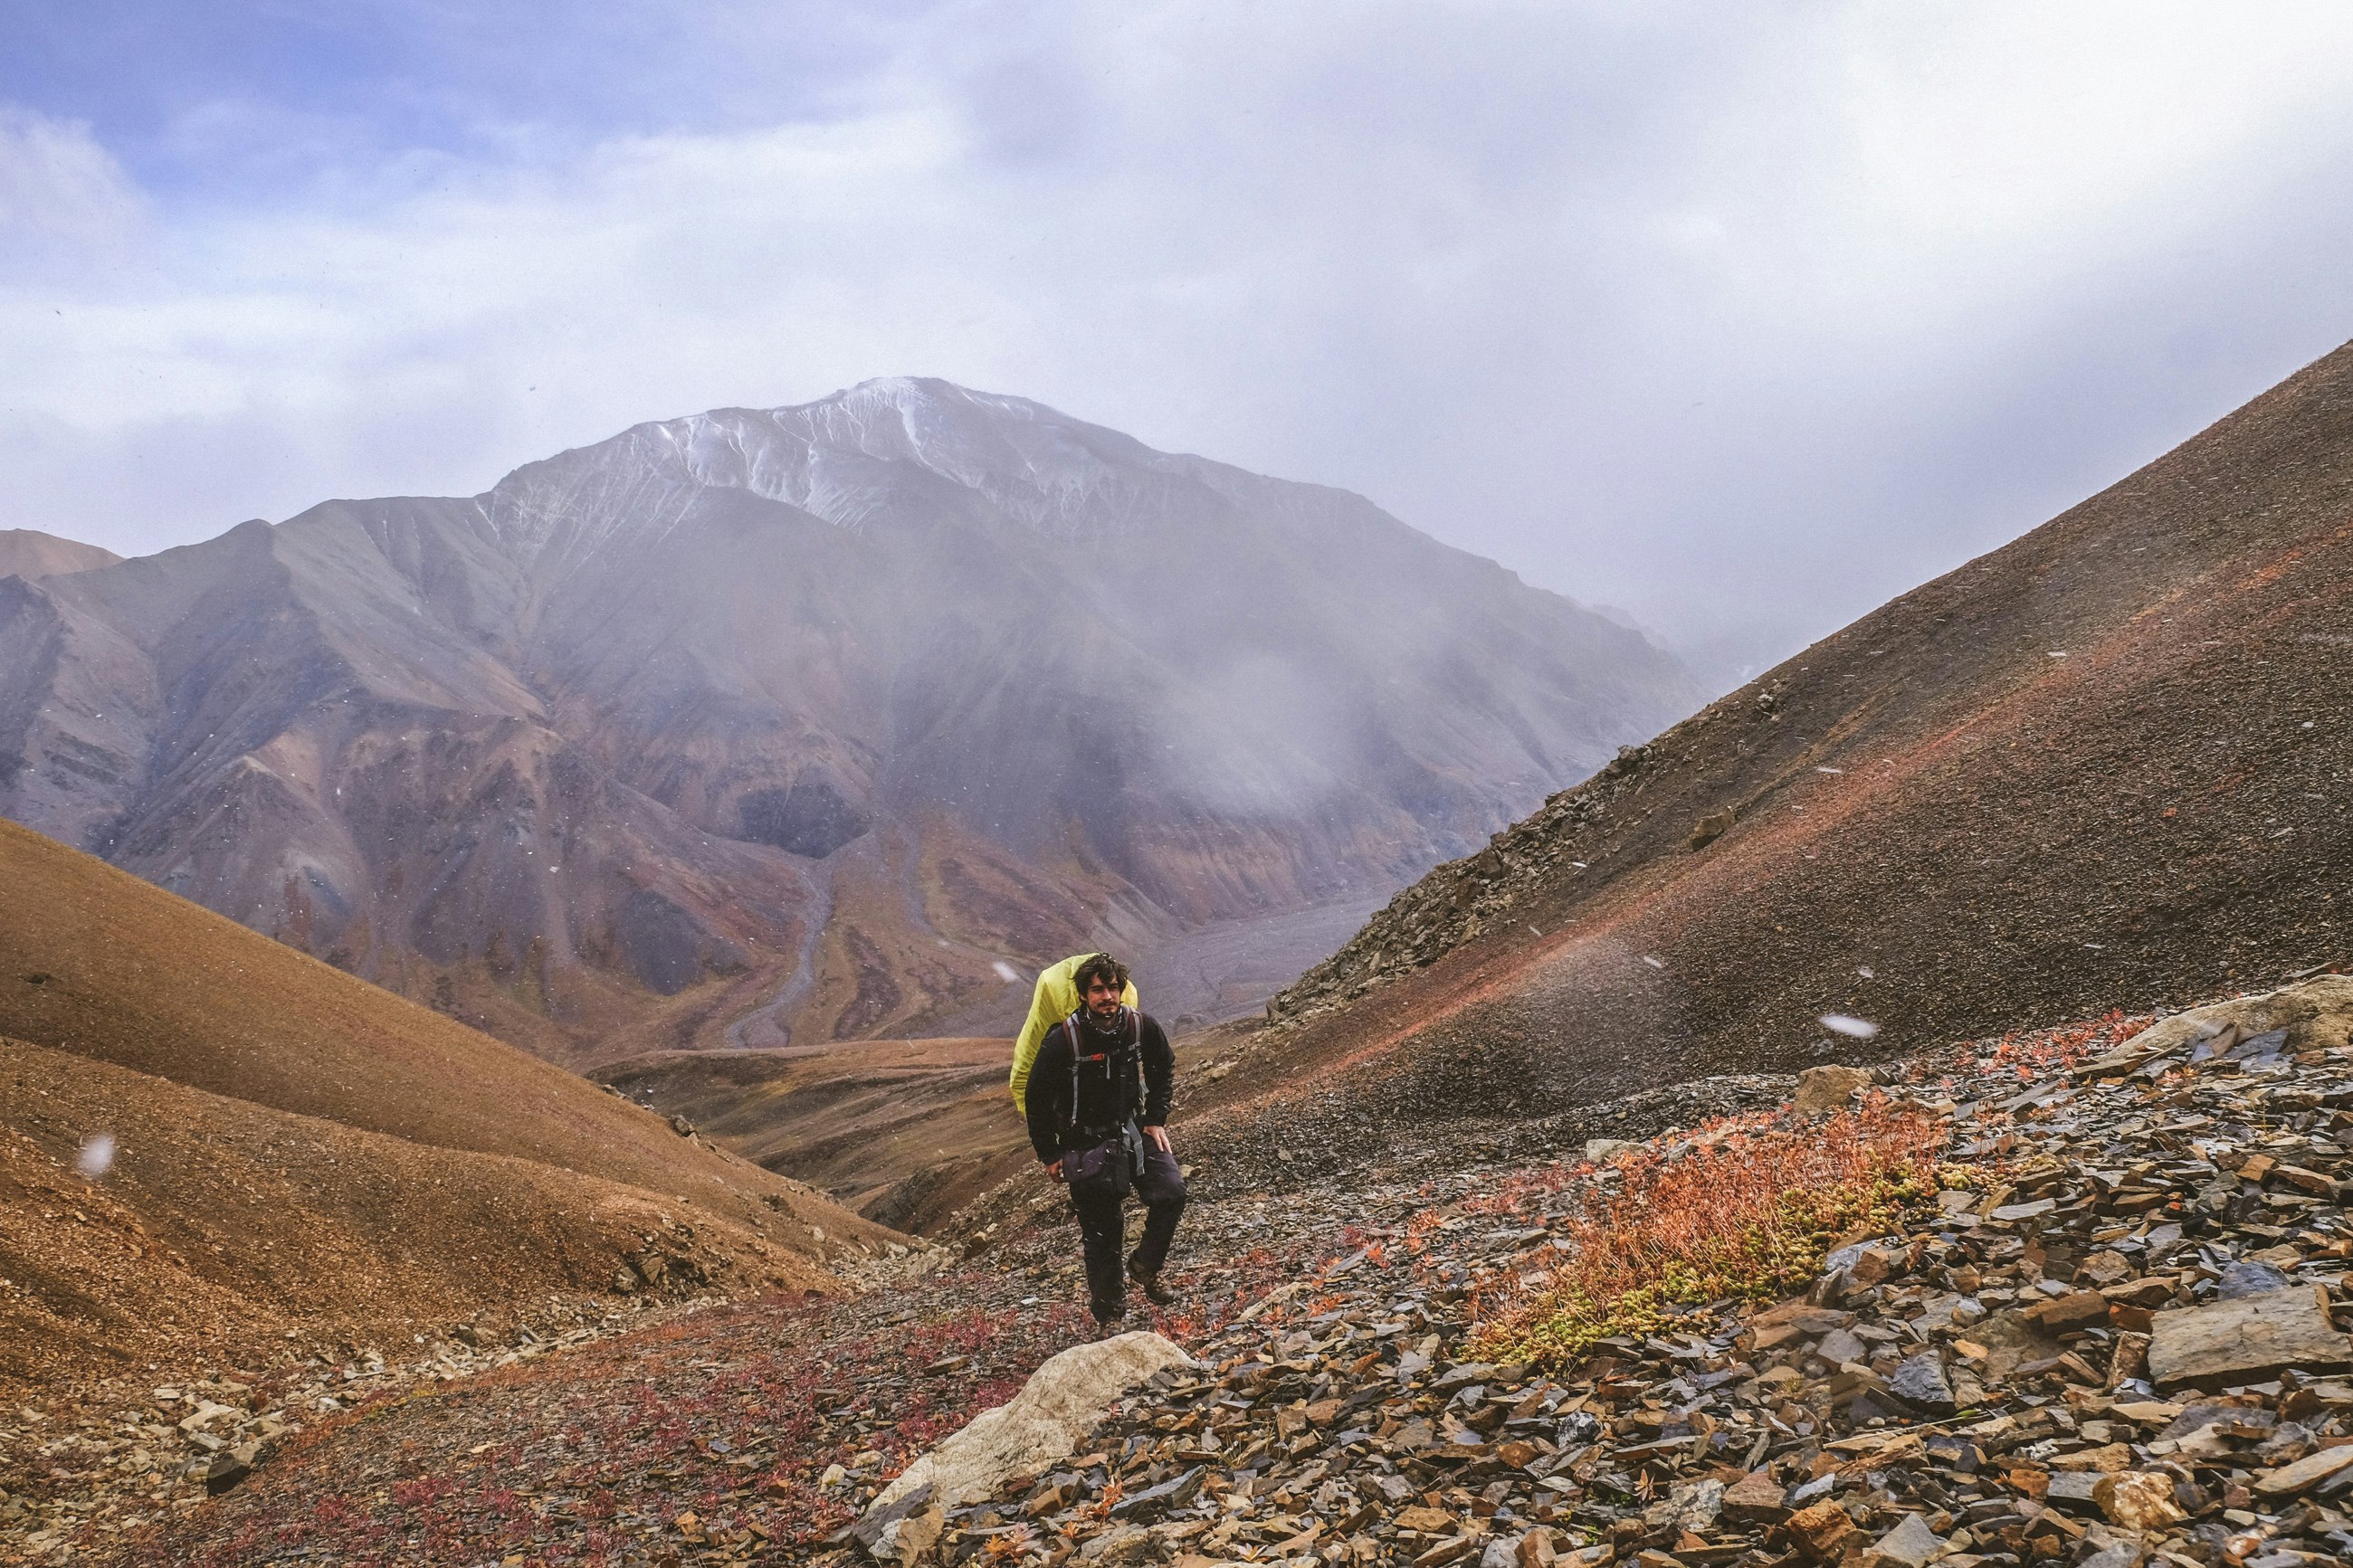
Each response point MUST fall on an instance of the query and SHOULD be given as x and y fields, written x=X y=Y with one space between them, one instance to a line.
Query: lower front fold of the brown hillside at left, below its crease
x=225 y=1224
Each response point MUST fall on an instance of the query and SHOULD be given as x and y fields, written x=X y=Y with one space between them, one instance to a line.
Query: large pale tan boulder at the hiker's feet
x=1044 y=1423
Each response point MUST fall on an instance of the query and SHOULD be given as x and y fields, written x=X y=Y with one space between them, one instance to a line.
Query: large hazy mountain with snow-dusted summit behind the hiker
x=801 y=723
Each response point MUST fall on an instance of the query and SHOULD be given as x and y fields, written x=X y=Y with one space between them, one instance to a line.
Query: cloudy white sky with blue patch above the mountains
x=1735 y=319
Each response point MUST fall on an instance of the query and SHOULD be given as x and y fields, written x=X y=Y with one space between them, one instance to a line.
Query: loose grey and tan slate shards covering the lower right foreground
x=2112 y=1339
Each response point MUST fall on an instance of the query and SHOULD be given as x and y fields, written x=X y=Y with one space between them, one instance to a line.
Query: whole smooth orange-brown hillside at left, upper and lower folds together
x=295 y=1146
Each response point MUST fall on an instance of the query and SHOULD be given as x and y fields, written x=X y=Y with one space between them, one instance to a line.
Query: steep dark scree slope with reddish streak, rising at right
x=2100 y=765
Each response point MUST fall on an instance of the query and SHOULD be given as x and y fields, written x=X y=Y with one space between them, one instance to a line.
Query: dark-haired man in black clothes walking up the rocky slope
x=1098 y=1106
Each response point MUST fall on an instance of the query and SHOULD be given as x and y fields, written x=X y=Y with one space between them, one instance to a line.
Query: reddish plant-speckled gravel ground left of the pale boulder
x=705 y=1430
